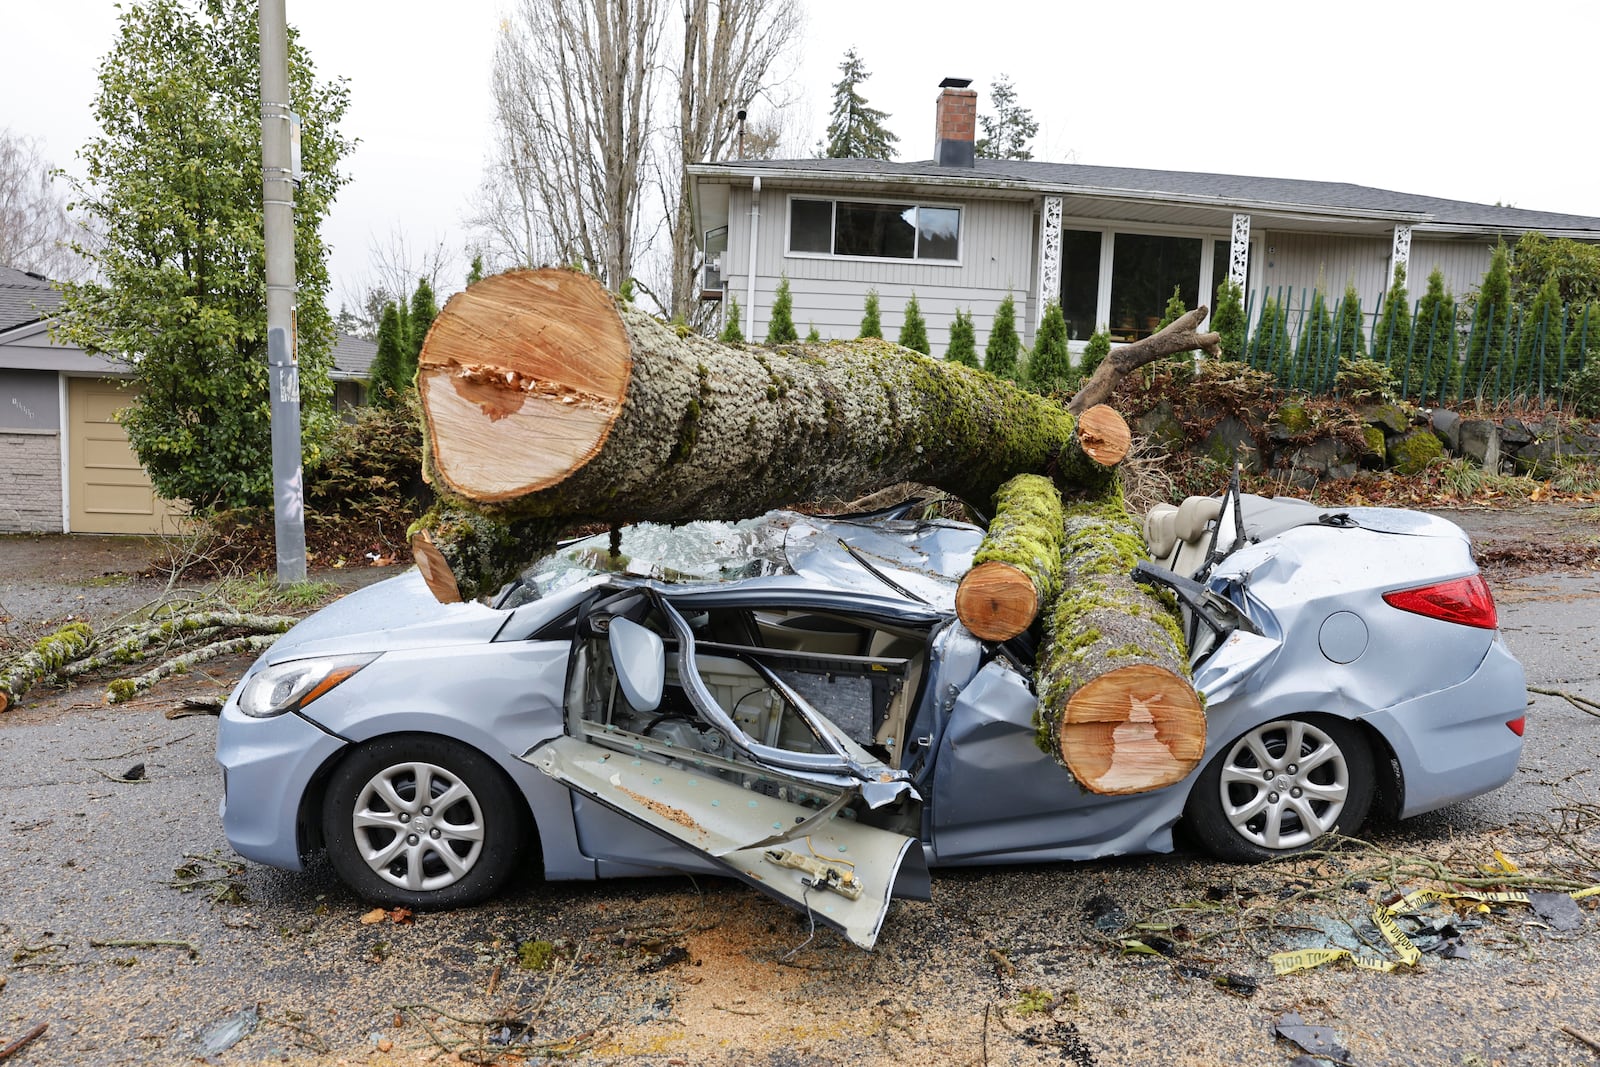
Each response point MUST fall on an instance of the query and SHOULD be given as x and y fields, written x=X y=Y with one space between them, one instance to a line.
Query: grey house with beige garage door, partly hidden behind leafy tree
x=65 y=462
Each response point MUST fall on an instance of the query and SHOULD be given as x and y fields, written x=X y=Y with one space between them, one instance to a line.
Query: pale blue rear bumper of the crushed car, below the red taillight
x=1455 y=743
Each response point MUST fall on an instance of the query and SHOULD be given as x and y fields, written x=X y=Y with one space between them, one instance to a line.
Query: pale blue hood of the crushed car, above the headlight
x=394 y=613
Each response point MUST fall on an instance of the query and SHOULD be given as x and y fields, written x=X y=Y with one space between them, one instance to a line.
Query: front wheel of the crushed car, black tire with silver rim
x=462 y=853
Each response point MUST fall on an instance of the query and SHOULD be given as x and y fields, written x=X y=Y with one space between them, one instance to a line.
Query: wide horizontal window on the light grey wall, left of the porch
x=874 y=230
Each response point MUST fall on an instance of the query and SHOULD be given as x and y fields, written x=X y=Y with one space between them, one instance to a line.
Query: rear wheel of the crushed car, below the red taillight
x=1254 y=817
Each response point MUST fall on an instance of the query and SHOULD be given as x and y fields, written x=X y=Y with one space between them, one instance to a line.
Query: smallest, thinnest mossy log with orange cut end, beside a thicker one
x=1018 y=564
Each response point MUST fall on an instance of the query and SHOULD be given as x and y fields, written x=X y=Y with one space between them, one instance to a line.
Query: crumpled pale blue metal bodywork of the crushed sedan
x=1439 y=695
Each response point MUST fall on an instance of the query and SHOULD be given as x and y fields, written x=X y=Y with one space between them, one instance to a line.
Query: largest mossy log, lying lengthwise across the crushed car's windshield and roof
x=548 y=406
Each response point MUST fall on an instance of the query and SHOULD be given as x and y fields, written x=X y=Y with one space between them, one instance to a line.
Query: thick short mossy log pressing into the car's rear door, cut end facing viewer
x=1116 y=701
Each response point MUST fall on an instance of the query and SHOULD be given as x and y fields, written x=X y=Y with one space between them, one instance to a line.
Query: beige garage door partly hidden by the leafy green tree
x=108 y=487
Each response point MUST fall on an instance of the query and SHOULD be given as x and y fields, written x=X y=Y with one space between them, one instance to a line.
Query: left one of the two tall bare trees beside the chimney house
x=574 y=94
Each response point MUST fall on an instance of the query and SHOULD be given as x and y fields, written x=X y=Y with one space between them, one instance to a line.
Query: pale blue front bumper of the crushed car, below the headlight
x=268 y=764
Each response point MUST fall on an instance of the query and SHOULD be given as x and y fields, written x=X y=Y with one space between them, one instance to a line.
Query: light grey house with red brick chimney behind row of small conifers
x=1111 y=244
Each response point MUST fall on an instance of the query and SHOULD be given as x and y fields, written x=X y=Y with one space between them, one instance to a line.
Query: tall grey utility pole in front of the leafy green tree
x=278 y=201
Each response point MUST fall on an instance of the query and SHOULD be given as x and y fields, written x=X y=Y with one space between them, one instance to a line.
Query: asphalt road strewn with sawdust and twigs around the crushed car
x=132 y=932
